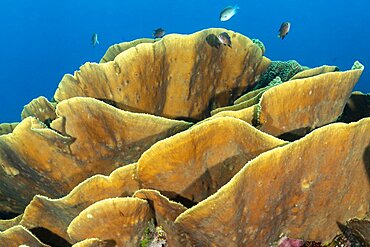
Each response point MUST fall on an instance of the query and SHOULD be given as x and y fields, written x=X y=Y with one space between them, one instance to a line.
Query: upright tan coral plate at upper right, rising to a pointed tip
x=299 y=105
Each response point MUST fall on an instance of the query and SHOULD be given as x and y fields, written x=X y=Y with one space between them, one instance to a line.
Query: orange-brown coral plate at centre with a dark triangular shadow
x=195 y=163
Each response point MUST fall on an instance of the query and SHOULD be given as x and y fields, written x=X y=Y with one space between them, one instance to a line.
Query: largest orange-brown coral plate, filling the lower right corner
x=280 y=191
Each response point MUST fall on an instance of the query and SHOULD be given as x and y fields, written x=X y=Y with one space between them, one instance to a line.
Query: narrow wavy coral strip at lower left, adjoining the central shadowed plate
x=57 y=214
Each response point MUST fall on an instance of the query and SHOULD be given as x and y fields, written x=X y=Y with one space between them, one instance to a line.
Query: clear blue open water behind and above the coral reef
x=42 y=40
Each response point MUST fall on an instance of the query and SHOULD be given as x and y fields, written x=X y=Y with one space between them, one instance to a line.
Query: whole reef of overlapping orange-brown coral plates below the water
x=179 y=142
